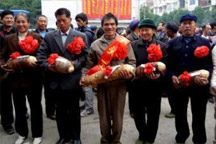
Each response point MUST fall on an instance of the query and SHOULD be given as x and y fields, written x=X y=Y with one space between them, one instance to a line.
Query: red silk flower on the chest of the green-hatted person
x=154 y=53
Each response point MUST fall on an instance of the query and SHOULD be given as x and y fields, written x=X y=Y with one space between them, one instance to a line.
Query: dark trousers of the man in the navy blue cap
x=198 y=97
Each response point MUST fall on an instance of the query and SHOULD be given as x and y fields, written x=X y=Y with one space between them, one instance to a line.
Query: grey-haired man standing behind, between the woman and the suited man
x=41 y=23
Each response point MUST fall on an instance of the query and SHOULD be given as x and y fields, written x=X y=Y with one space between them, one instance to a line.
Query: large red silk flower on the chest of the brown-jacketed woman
x=29 y=45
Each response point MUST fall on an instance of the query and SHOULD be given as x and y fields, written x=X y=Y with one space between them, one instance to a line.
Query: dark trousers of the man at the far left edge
x=7 y=118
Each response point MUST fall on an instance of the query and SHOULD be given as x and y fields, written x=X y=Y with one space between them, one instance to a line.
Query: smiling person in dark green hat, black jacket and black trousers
x=145 y=91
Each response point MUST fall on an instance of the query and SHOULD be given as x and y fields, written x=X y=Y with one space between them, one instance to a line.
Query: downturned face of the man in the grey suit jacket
x=63 y=22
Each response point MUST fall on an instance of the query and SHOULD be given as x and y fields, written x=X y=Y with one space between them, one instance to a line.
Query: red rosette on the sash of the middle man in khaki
x=121 y=51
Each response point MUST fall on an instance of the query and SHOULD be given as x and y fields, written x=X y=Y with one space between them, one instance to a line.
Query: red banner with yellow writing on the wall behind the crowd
x=95 y=9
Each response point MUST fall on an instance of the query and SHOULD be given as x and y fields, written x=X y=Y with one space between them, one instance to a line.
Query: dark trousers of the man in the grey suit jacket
x=67 y=113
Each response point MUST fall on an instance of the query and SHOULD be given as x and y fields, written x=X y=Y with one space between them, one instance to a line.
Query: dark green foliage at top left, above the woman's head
x=33 y=6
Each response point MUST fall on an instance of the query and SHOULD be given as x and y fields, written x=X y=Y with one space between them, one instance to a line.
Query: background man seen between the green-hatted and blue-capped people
x=162 y=32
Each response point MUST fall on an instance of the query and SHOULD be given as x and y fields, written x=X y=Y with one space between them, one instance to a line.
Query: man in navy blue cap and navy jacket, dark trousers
x=181 y=58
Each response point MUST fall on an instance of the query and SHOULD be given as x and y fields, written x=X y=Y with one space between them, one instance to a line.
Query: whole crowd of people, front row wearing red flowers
x=174 y=45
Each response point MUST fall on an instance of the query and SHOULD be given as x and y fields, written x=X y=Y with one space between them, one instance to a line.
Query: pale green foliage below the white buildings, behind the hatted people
x=204 y=16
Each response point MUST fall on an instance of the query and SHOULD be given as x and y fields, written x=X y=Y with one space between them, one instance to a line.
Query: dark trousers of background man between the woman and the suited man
x=50 y=101
